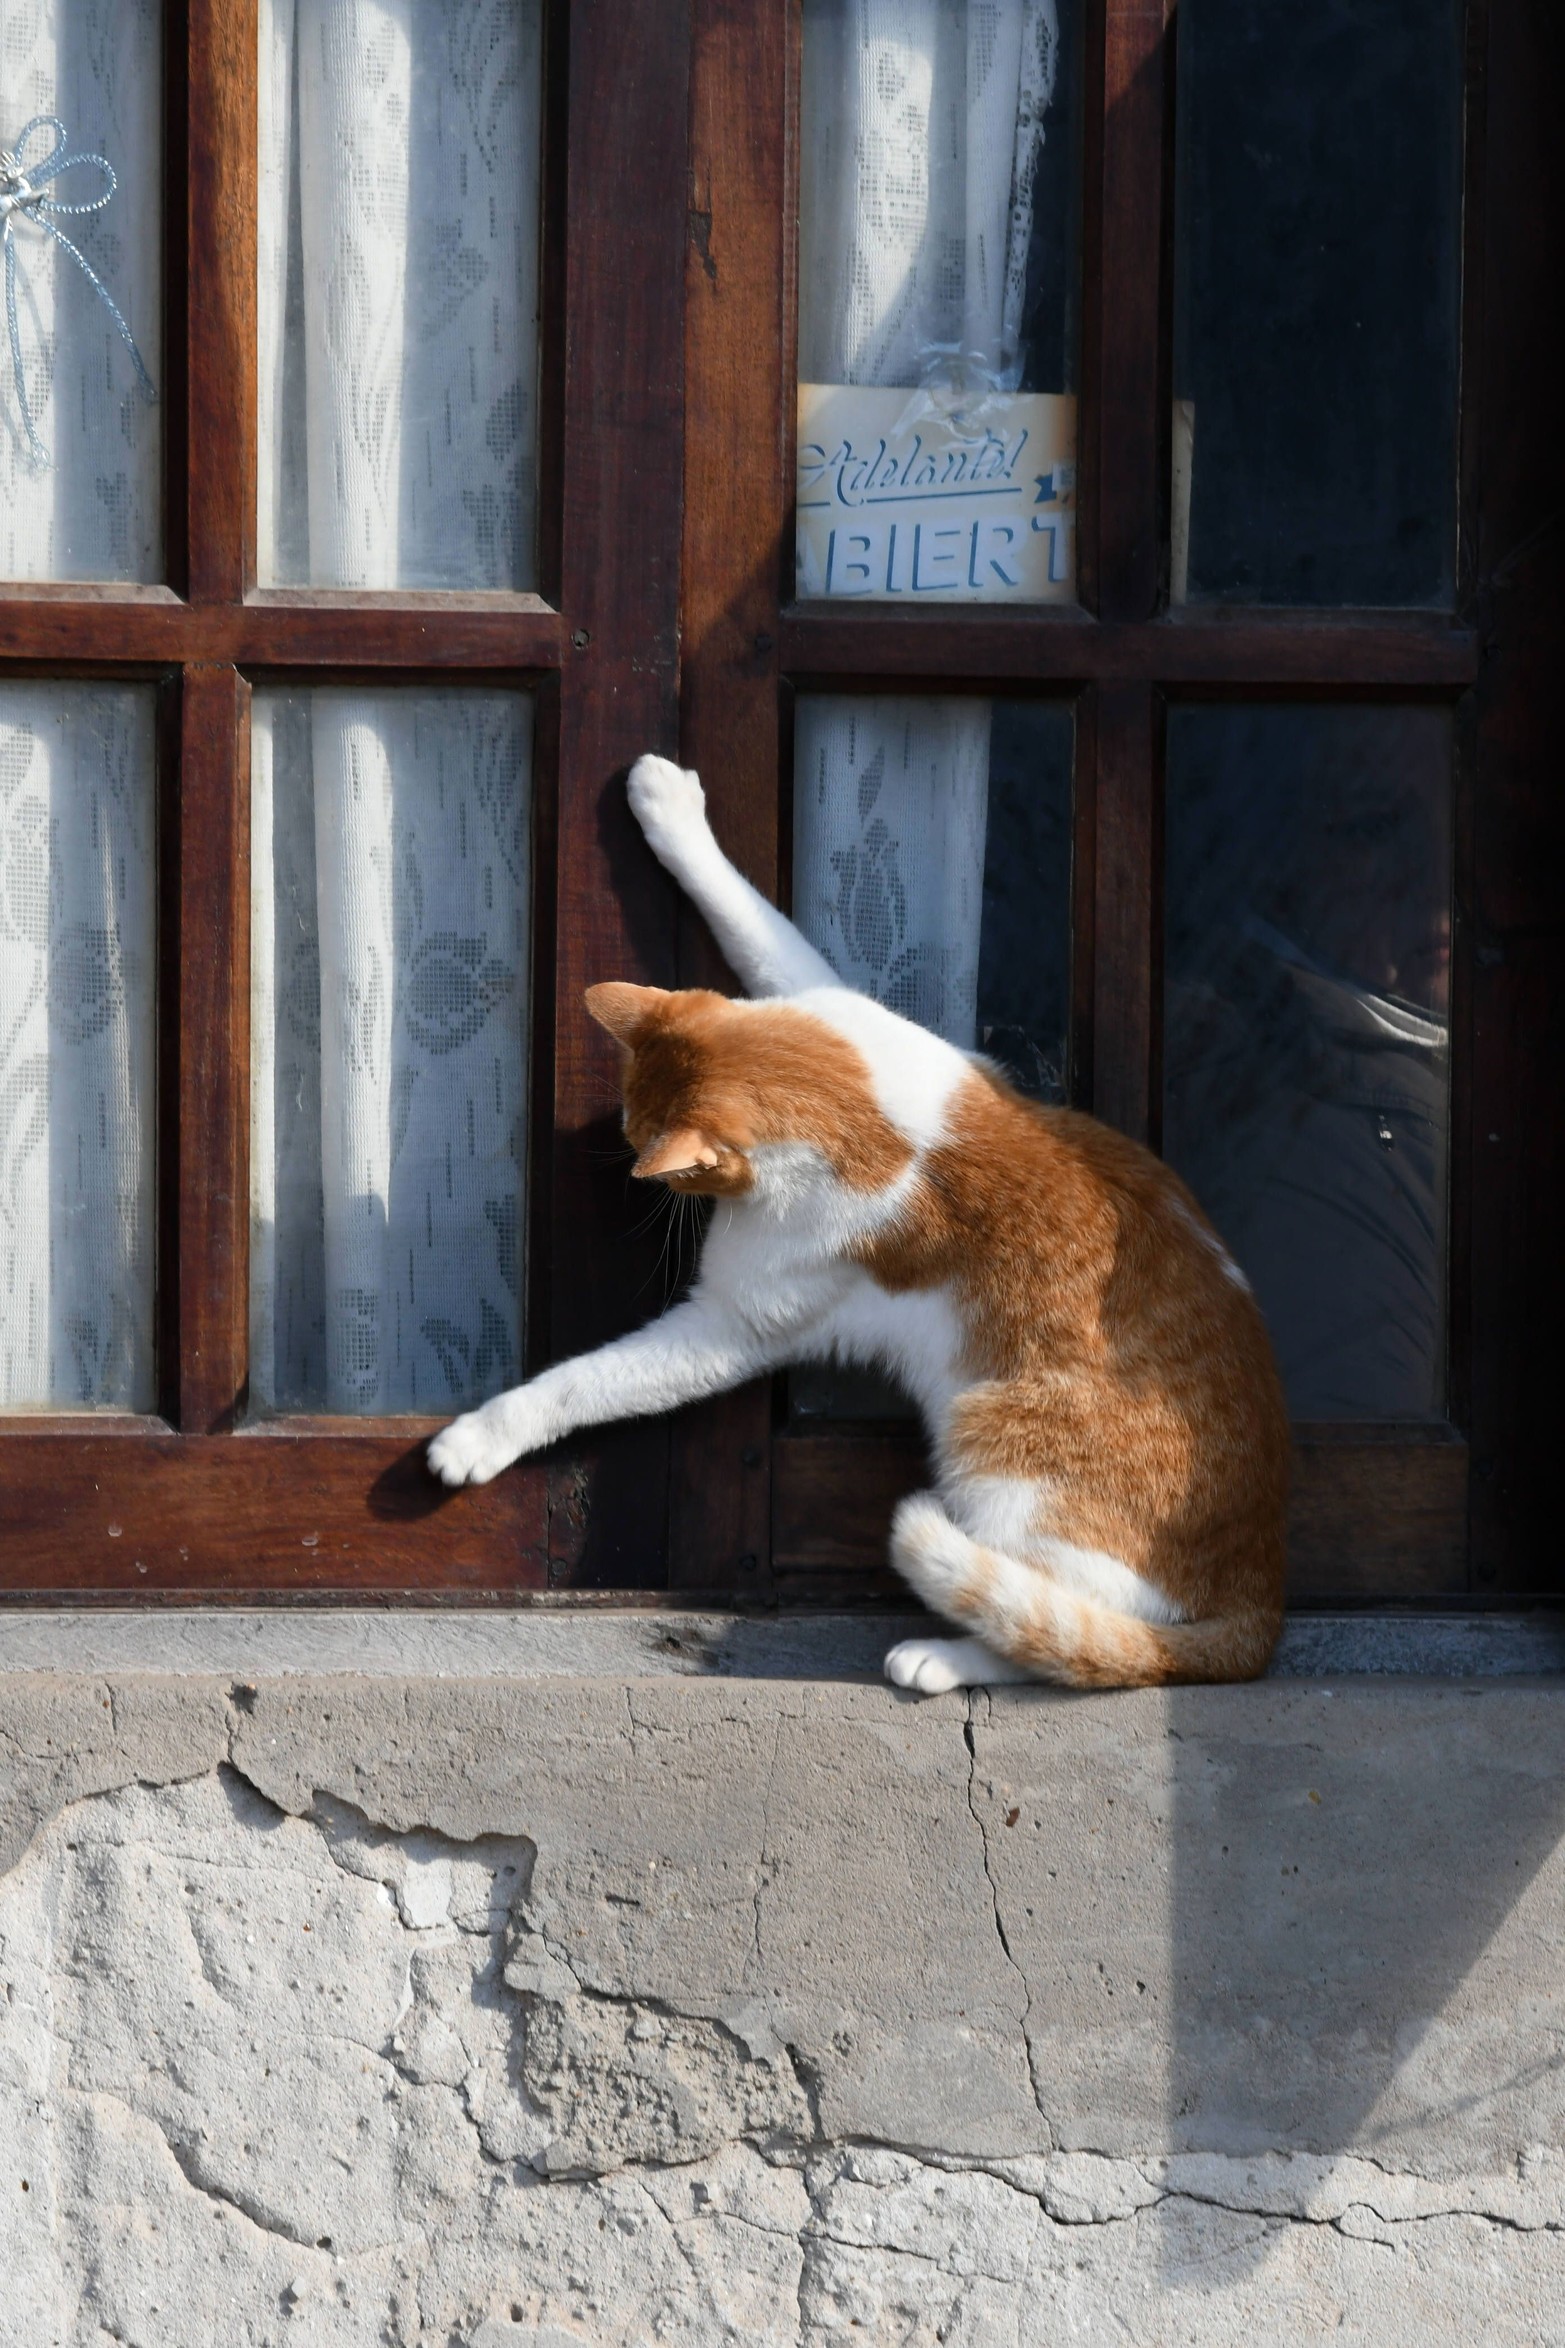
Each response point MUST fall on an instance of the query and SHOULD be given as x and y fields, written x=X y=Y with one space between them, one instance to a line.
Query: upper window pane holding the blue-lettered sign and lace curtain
x=940 y=278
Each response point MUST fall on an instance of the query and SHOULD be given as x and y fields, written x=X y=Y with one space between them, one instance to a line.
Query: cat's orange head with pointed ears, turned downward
x=714 y=1088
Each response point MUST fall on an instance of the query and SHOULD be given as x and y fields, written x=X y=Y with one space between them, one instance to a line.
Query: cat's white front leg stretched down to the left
x=698 y=1349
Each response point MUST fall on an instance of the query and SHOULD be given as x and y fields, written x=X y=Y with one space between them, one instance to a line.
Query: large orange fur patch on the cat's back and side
x=1118 y=1358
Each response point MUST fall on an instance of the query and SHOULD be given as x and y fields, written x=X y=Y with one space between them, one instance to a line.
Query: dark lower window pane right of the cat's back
x=1308 y=1032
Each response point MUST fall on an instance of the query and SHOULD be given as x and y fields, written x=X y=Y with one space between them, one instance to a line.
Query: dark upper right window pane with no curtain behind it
x=1320 y=217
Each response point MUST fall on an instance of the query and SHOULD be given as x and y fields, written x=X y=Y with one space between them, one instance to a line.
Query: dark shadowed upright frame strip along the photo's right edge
x=1517 y=945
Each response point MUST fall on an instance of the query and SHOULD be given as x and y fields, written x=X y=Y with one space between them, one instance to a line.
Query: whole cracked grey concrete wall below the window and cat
x=693 y=2011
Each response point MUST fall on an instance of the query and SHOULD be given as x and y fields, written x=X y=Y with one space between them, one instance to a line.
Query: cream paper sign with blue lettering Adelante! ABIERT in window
x=935 y=497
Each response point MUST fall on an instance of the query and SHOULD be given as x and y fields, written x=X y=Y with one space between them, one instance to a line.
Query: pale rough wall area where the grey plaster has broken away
x=266 y=2089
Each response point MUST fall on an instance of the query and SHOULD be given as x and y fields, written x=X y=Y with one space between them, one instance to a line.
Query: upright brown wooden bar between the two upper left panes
x=219 y=299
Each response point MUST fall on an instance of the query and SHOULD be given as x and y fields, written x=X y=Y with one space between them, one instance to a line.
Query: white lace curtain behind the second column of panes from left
x=400 y=184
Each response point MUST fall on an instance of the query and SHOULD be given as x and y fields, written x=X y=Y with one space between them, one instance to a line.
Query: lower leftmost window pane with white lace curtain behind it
x=79 y=1046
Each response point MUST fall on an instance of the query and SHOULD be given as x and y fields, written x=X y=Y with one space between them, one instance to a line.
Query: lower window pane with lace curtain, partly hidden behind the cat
x=933 y=870
